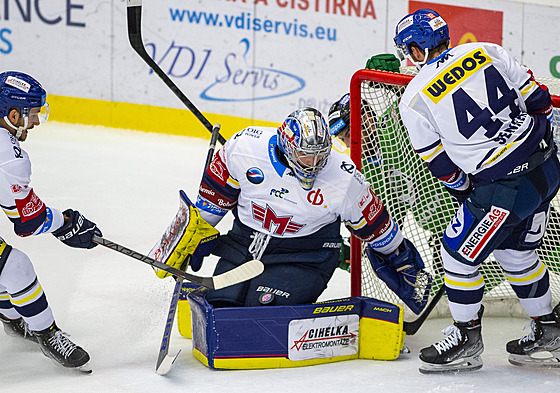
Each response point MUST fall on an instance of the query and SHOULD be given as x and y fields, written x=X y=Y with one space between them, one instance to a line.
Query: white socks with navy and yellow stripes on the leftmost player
x=21 y=294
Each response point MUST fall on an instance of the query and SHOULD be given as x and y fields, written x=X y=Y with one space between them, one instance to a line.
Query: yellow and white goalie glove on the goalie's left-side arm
x=189 y=238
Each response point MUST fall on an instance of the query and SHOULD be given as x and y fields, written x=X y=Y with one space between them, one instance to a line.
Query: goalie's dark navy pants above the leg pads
x=296 y=270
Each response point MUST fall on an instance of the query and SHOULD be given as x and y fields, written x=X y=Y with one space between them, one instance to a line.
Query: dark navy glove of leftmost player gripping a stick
x=77 y=231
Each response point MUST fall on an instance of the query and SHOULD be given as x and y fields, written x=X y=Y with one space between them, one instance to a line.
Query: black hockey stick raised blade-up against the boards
x=134 y=20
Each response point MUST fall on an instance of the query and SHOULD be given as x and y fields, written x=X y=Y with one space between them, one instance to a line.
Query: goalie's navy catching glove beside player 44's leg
x=403 y=273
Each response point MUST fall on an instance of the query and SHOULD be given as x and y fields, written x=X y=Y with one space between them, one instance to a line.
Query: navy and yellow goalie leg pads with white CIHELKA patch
x=289 y=336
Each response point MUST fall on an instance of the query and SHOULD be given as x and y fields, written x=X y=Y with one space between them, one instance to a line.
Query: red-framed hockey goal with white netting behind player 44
x=417 y=200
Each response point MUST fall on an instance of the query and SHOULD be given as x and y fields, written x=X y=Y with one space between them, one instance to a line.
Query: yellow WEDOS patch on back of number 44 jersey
x=458 y=72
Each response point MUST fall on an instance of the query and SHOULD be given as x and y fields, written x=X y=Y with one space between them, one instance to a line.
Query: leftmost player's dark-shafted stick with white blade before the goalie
x=241 y=273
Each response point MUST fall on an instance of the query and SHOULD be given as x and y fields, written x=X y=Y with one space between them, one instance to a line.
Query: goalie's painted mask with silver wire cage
x=305 y=141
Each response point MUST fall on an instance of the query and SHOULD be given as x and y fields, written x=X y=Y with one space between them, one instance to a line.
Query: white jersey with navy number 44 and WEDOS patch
x=485 y=132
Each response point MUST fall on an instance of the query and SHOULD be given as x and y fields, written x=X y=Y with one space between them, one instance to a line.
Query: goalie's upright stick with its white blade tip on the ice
x=165 y=362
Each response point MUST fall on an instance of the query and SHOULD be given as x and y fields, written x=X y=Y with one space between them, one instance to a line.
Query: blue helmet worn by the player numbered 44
x=424 y=28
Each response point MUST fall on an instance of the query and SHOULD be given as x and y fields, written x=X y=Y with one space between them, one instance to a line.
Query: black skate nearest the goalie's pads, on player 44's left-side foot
x=459 y=351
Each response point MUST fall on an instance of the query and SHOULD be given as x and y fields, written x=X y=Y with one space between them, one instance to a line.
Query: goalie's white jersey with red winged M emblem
x=247 y=174
